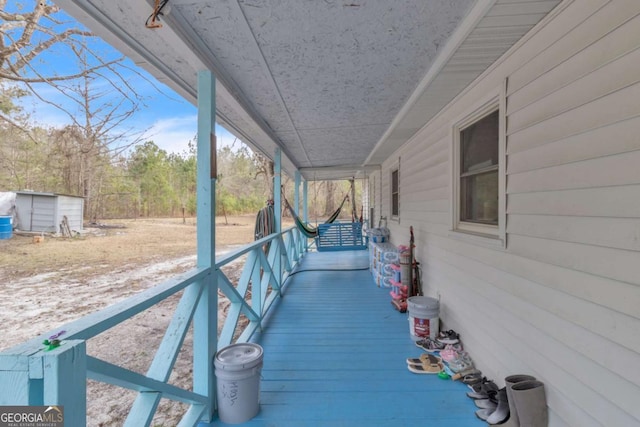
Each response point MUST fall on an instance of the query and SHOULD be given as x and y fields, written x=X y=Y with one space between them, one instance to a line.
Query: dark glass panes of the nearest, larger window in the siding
x=479 y=160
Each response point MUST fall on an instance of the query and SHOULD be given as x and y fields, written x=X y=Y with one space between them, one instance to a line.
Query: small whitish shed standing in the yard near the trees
x=46 y=211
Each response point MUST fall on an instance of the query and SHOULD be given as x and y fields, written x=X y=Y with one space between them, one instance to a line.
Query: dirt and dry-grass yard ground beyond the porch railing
x=47 y=284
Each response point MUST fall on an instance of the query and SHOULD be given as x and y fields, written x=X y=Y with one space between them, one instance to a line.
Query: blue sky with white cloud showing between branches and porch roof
x=164 y=118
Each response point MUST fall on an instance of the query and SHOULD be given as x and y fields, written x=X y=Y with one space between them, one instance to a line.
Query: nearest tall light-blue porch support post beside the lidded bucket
x=205 y=323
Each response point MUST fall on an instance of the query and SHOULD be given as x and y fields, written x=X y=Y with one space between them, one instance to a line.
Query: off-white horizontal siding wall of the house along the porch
x=562 y=300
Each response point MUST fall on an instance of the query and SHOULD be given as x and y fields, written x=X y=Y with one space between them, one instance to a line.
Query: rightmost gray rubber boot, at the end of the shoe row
x=531 y=403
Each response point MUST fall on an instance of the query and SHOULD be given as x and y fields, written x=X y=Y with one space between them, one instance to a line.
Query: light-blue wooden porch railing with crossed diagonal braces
x=32 y=375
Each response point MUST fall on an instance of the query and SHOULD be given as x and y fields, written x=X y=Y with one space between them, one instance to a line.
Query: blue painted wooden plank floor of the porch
x=334 y=355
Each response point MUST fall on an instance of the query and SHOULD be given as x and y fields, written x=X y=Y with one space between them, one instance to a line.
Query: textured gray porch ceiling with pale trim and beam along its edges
x=338 y=85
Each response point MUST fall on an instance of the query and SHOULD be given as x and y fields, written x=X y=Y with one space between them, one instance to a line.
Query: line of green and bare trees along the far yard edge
x=145 y=181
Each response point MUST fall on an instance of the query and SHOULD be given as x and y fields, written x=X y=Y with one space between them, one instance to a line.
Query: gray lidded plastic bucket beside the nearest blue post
x=238 y=369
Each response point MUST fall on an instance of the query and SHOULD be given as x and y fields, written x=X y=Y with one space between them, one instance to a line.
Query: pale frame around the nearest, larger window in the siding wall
x=494 y=235
